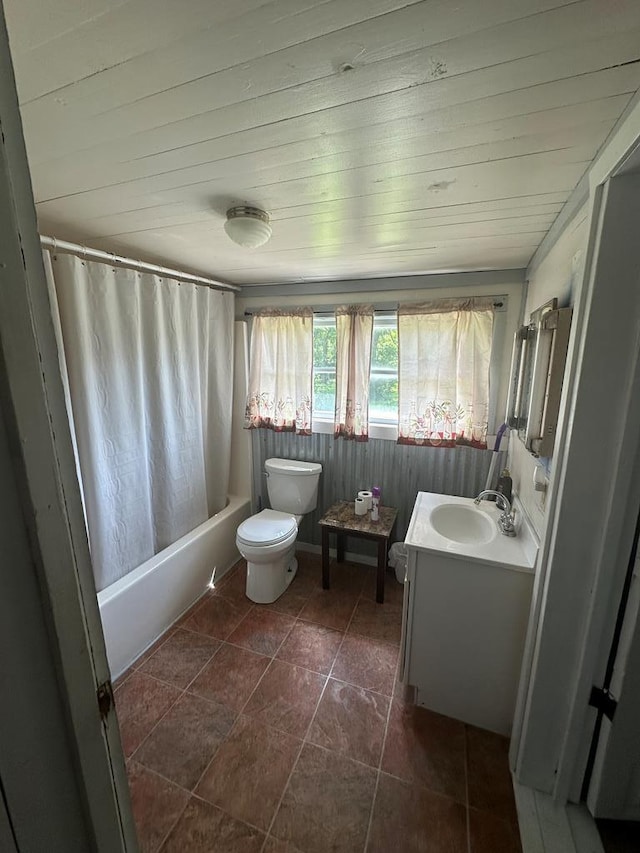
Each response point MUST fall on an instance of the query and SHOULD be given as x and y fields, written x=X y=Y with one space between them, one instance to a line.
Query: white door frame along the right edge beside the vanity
x=593 y=499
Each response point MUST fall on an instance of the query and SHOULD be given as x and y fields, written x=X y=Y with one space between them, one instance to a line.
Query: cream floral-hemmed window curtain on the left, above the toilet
x=280 y=371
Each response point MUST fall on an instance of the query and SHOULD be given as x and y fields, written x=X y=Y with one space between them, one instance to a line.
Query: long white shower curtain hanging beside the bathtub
x=149 y=365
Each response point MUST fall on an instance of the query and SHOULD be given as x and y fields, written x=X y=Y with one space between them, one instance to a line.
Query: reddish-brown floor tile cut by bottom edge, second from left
x=204 y=828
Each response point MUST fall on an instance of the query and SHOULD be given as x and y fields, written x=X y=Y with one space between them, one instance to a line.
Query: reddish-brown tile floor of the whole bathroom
x=282 y=729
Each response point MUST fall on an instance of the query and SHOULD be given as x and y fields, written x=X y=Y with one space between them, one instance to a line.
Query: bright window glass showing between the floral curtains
x=383 y=389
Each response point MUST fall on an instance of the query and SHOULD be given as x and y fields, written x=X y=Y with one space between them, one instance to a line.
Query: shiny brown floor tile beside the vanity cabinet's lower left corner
x=367 y=663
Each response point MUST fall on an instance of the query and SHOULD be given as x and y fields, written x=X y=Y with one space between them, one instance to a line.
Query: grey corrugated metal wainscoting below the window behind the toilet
x=348 y=466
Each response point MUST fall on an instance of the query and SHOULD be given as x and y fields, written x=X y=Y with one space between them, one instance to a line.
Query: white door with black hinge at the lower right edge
x=614 y=789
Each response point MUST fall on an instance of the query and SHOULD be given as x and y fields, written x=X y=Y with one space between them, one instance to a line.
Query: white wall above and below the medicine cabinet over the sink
x=554 y=276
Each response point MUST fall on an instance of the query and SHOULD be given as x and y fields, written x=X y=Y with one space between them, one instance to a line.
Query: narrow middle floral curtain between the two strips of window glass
x=354 y=328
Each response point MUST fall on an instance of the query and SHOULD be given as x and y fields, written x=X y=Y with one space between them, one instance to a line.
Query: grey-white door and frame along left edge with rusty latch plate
x=53 y=664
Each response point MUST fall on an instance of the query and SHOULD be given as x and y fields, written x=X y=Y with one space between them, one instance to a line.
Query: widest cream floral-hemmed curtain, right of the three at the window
x=443 y=386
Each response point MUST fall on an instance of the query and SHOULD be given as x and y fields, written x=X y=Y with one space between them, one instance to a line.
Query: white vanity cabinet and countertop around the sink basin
x=466 y=609
